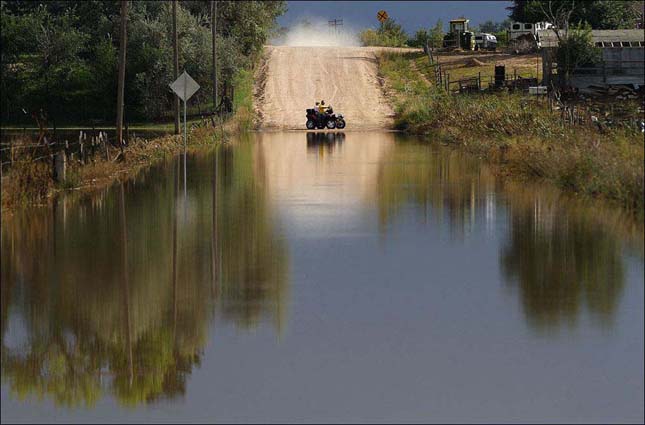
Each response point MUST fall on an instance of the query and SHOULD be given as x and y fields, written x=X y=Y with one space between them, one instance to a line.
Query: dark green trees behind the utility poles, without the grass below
x=62 y=56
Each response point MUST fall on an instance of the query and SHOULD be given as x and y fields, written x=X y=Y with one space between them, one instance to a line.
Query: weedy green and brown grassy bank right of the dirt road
x=518 y=134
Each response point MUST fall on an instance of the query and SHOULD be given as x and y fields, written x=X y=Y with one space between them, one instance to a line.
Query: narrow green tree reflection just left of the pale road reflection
x=253 y=261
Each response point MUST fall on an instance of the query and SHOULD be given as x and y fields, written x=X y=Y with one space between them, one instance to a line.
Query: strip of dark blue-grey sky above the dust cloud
x=413 y=15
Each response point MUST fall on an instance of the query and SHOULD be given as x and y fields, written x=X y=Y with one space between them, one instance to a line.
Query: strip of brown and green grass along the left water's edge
x=30 y=182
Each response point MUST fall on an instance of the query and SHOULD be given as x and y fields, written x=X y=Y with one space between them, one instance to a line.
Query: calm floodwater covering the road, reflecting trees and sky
x=322 y=277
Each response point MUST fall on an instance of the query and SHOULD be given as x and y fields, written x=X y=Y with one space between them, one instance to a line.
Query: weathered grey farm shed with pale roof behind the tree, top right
x=622 y=58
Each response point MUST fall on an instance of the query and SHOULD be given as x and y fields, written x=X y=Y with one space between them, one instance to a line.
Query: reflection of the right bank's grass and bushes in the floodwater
x=565 y=257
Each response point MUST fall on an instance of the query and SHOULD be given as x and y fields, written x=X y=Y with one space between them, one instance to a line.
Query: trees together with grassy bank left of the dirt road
x=59 y=64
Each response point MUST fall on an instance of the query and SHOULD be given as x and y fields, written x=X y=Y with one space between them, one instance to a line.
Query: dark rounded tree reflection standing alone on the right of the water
x=562 y=261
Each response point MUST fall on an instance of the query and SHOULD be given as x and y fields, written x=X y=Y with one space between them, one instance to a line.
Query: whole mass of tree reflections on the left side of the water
x=89 y=331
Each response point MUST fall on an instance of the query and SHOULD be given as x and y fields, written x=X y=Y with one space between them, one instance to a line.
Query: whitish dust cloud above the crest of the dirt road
x=319 y=33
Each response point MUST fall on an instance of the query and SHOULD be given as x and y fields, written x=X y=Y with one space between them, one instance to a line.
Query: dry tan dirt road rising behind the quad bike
x=294 y=78
